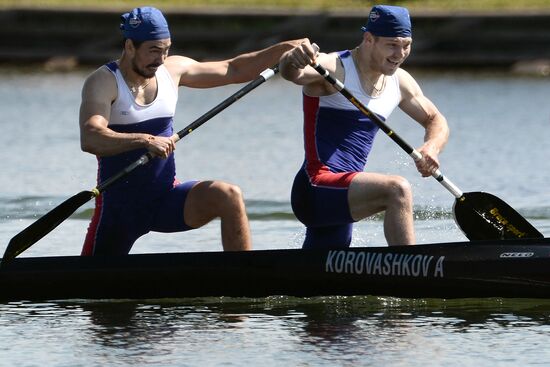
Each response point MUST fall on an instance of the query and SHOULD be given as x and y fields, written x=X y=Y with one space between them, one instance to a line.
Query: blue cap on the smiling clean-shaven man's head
x=389 y=21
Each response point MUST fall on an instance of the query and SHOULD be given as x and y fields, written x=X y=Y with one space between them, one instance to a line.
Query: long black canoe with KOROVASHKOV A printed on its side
x=505 y=268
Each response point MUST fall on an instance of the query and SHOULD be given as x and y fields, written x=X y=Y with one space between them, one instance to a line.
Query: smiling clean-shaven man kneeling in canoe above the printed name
x=331 y=190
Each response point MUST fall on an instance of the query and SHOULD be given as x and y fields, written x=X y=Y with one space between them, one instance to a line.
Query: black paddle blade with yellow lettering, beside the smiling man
x=483 y=216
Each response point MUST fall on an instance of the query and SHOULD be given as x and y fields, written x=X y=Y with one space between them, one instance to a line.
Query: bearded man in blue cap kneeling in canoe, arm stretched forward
x=127 y=109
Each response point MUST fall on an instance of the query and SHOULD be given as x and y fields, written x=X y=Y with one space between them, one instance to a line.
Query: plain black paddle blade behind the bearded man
x=44 y=225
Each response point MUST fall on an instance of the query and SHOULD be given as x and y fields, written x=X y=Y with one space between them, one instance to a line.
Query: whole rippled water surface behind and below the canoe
x=499 y=127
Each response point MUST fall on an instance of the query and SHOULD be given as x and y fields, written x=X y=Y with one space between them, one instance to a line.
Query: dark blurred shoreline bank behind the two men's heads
x=71 y=37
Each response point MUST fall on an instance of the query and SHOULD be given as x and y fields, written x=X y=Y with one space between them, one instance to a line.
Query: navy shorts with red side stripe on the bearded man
x=119 y=221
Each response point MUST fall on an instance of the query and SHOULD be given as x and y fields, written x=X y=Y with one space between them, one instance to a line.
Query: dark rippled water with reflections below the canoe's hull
x=363 y=330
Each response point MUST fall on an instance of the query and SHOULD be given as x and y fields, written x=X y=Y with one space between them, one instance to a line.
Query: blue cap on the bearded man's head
x=144 y=24
